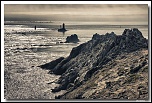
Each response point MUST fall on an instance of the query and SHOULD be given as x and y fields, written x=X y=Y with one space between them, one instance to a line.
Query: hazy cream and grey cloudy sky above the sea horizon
x=120 y=13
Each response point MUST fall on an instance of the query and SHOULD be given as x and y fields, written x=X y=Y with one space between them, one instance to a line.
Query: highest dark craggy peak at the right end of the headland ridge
x=133 y=40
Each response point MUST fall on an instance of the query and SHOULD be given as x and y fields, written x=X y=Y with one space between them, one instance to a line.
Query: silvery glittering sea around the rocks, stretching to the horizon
x=26 y=48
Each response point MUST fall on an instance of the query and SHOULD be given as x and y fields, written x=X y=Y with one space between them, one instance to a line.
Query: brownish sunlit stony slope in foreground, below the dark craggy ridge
x=115 y=79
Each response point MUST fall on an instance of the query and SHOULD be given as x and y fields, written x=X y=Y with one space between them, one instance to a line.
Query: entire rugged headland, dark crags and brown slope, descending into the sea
x=108 y=66
